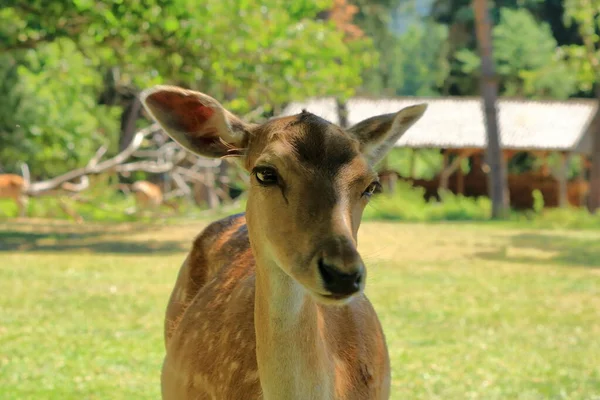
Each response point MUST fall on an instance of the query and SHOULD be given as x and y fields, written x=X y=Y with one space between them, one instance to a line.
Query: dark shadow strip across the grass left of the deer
x=90 y=240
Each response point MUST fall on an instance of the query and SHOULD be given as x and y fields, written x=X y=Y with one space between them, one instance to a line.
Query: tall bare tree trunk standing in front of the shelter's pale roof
x=497 y=178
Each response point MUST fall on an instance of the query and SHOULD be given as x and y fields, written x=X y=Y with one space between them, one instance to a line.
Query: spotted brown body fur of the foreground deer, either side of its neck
x=210 y=317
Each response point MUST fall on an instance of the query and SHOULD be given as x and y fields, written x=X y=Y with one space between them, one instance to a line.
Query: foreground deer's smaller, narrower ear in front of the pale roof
x=377 y=135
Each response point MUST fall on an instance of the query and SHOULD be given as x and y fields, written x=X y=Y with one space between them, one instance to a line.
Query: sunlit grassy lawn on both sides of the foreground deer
x=470 y=311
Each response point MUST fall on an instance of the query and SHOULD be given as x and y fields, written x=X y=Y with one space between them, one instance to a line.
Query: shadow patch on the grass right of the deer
x=550 y=249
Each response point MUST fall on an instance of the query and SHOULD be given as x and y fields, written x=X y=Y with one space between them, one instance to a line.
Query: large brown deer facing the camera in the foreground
x=270 y=303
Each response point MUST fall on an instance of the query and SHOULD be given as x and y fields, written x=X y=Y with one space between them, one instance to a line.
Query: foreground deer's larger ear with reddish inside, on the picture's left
x=196 y=121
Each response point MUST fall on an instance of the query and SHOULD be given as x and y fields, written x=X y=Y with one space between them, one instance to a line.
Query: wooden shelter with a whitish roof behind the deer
x=455 y=126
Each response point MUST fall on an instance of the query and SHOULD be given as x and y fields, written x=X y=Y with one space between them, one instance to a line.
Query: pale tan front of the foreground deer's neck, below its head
x=290 y=347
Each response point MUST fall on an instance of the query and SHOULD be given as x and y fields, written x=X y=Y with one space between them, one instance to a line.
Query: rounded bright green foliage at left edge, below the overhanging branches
x=49 y=117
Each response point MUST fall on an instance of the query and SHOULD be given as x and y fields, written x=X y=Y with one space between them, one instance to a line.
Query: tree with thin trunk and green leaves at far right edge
x=585 y=59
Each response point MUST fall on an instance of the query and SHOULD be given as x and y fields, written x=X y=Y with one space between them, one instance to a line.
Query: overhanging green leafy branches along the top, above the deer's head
x=266 y=52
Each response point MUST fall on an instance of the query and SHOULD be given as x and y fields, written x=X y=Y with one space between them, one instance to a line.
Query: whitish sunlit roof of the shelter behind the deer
x=459 y=122
